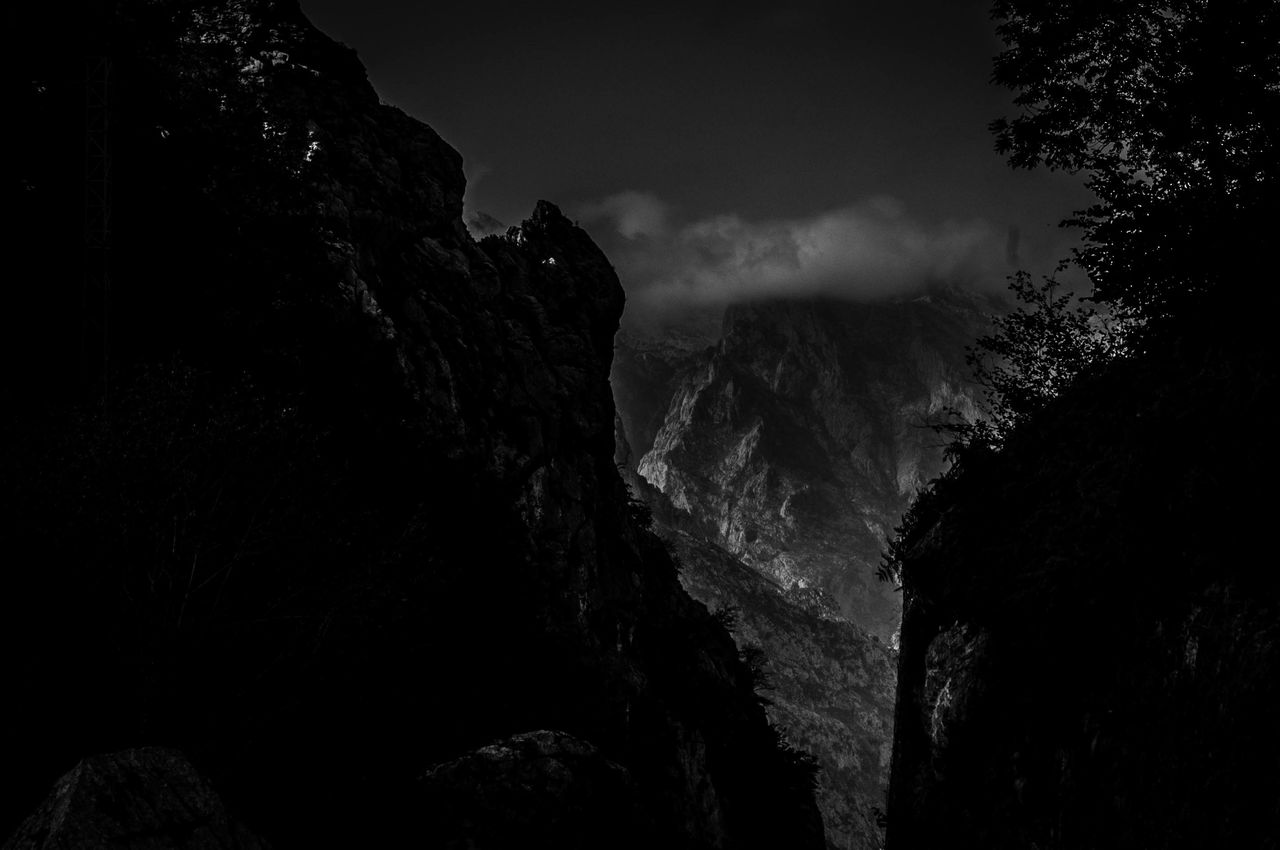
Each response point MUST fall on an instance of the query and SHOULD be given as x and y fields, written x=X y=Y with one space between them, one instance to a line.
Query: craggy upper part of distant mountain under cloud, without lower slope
x=804 y=436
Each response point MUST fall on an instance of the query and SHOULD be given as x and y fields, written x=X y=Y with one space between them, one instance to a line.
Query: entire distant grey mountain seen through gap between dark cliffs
x=778 y=454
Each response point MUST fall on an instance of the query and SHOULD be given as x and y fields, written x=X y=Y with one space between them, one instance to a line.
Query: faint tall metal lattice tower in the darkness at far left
x=97 y=301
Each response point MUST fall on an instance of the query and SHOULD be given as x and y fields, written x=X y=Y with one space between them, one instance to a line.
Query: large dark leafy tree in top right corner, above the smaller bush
x=1172 y=109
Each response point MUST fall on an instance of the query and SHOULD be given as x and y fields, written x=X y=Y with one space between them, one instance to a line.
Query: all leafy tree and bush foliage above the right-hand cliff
x=1171 y=111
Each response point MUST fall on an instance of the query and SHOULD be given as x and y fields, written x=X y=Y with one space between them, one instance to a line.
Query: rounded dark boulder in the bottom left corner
x=136 y=801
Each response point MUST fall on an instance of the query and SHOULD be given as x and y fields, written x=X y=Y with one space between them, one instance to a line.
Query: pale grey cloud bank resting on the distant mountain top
x=863 y=252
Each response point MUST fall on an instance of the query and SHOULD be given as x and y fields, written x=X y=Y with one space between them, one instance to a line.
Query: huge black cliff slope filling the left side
x=349 y=506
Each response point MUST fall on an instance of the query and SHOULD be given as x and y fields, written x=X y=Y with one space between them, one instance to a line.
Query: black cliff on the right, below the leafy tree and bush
x=1091 y=646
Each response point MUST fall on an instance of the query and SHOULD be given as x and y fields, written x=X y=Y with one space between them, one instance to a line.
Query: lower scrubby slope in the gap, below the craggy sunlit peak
x=828 y=683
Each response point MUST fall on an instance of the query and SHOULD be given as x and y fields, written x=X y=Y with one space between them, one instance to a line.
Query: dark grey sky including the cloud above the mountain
x=719 y=150
